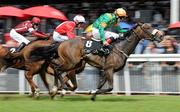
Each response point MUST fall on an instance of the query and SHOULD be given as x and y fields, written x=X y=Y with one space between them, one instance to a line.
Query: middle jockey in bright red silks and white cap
x=65 y=30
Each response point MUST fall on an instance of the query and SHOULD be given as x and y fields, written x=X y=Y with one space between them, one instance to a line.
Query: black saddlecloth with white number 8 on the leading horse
x=96 y=48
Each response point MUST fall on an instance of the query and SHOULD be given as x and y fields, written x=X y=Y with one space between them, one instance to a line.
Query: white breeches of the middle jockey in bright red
x=58 y=37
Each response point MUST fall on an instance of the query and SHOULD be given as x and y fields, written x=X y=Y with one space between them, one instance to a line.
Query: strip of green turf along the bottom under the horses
x=82 y=103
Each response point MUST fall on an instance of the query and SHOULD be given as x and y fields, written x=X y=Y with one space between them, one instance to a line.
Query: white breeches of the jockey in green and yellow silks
x=108 y=34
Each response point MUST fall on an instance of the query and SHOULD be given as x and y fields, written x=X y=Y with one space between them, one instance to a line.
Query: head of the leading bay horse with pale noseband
x=146 y=31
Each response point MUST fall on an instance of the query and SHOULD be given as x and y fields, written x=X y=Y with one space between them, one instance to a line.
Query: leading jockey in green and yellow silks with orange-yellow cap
x=104 y=21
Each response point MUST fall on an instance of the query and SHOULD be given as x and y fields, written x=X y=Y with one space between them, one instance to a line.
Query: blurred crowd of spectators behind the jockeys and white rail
x=158 y=17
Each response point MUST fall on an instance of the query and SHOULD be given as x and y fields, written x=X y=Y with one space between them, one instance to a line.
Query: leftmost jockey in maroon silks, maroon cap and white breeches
x=24 y=27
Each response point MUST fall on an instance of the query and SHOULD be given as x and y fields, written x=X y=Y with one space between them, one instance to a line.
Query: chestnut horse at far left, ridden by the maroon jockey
x=16 y=60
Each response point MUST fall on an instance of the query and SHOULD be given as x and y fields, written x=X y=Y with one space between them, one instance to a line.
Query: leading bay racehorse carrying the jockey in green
x=72 y=56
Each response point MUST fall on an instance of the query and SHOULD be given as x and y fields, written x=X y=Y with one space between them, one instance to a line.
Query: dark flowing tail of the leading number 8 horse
x=46 y=52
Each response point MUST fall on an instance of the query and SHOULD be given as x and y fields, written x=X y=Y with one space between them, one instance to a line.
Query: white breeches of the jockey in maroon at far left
x=18 y=37
